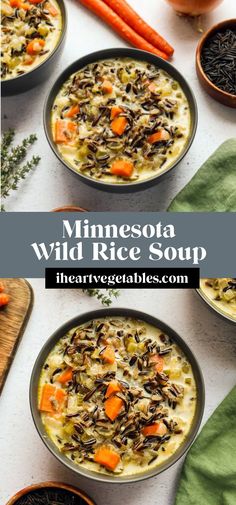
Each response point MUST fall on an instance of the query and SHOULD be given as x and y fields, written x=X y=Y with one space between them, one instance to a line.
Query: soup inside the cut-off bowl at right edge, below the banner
x=222 y=294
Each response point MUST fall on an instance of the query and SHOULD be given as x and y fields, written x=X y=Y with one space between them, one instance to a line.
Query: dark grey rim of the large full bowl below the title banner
x=121 y=312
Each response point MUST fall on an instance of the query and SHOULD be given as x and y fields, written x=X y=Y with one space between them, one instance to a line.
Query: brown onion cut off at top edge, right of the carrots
x=193 y=7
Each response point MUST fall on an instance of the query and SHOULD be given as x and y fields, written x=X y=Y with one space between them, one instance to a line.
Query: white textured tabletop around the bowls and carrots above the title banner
x=51 y=185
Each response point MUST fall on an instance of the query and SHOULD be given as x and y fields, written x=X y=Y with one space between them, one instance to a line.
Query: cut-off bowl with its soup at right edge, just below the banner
x=220 y=296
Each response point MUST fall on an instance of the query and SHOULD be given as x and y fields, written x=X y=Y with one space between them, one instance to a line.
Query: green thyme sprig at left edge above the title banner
x=13 y=170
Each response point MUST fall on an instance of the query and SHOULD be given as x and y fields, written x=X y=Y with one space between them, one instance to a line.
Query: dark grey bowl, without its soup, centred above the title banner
x=136 y=54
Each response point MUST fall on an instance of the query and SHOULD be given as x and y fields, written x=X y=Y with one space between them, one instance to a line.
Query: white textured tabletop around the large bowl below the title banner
x=25 y=460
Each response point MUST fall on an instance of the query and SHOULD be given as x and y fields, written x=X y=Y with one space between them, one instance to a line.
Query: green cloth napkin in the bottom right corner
x=209 y=472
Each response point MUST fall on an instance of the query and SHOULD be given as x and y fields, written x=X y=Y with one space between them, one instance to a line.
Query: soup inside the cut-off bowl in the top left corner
x=30 y=31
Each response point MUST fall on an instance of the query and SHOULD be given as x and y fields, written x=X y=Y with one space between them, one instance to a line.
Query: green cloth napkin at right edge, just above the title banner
x=213 y=187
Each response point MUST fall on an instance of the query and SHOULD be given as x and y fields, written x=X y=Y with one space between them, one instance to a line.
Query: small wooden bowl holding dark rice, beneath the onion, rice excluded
x=215 y=92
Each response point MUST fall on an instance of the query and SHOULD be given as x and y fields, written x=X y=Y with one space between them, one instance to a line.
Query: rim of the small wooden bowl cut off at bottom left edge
x=50 y=484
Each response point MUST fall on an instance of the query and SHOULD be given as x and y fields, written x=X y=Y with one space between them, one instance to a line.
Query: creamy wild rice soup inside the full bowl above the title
x=120 y=120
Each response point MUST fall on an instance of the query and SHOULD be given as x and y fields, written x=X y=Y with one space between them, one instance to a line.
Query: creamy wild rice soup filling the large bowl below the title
x=117 y=395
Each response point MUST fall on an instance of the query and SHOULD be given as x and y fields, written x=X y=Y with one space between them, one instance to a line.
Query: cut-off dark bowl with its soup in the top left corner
x=32 y=37
